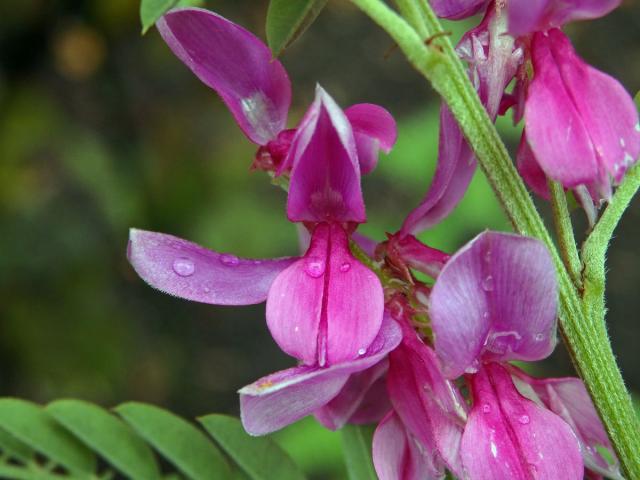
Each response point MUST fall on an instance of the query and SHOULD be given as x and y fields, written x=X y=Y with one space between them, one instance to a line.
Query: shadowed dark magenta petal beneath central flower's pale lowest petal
x=363 y=396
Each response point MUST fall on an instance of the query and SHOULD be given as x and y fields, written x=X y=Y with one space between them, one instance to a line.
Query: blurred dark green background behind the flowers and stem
x=102 y=129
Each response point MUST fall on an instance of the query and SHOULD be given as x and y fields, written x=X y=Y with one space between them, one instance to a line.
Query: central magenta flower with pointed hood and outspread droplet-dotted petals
x=326 y=308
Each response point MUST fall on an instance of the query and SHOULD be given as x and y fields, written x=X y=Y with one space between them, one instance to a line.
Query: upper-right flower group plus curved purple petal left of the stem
x=580 y=125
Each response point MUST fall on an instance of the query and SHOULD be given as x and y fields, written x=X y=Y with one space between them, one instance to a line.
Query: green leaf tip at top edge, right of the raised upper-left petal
x=287 y=20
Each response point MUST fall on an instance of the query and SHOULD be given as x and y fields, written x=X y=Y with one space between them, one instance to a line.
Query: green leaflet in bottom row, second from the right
x=180 y=442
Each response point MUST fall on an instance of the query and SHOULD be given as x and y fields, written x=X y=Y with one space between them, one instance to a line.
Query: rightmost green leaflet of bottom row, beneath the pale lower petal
x=260 y=457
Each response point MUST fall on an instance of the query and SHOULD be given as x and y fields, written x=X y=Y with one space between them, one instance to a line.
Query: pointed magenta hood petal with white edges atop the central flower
x=325 y=176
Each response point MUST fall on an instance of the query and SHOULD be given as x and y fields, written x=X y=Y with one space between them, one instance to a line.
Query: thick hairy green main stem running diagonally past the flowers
x=590 y=350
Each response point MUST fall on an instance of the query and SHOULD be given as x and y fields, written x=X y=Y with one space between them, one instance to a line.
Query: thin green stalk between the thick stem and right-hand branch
x=564 y=230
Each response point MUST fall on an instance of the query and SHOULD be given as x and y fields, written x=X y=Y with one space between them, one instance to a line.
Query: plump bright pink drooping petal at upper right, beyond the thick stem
x=581 y=125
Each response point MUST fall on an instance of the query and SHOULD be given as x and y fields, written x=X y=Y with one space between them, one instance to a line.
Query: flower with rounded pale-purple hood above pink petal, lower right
x=494 y=301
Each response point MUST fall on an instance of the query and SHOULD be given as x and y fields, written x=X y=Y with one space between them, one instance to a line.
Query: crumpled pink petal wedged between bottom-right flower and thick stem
x=568 y=398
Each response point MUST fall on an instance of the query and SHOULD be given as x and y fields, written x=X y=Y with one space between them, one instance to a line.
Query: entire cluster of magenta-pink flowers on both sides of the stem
x=429 y=361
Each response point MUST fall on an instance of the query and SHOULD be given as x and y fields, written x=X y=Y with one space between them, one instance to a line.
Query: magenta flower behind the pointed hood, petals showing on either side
x=255 y=87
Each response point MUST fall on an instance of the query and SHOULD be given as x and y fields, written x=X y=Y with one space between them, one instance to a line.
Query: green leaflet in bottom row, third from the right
x=105 y=433
